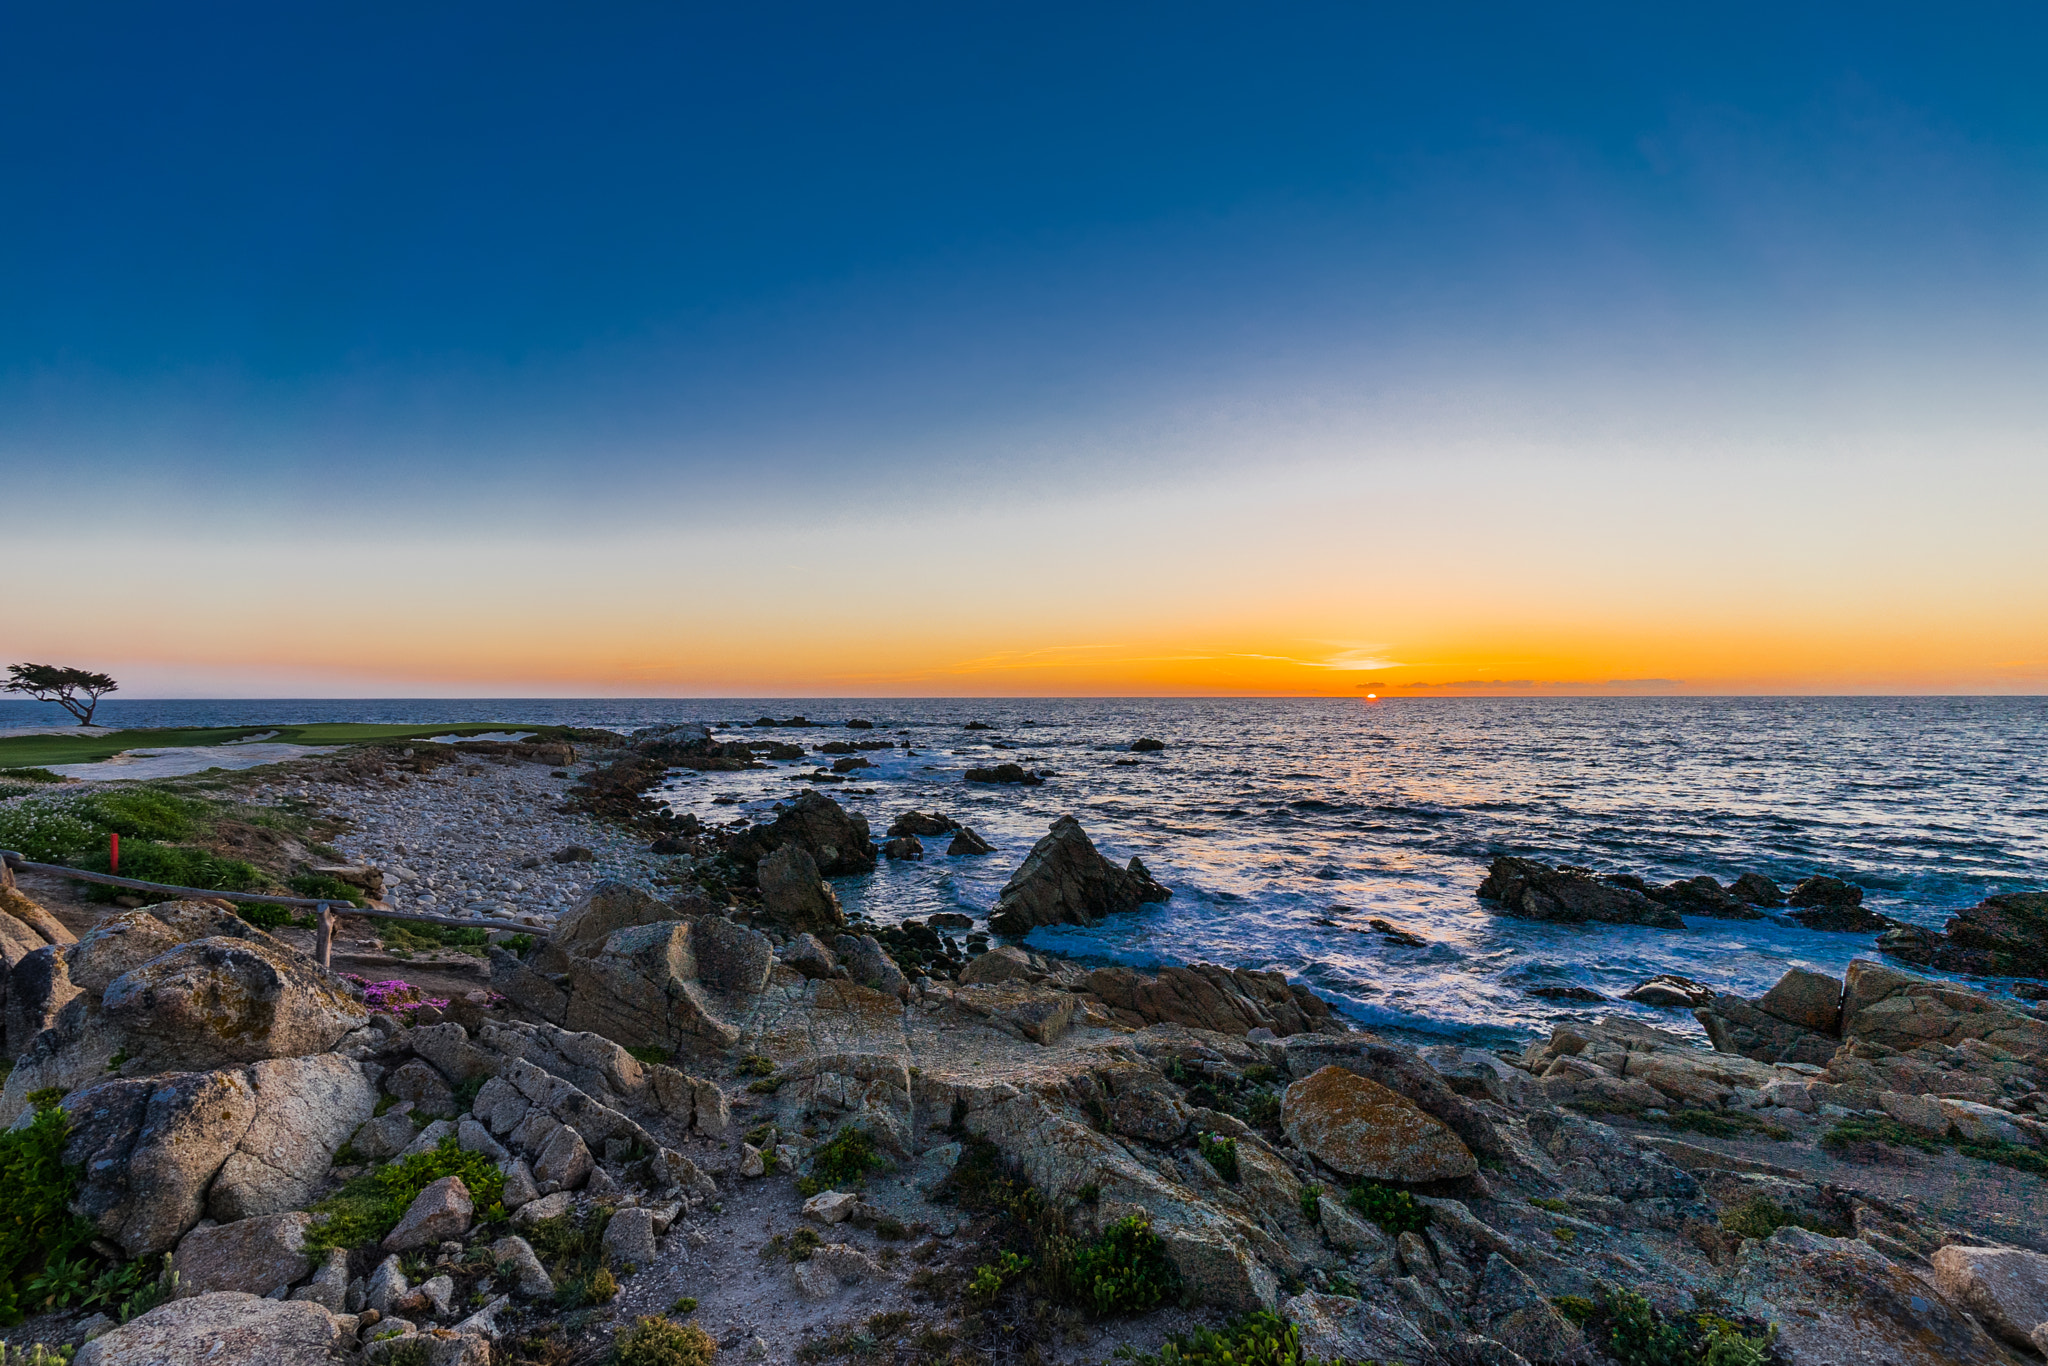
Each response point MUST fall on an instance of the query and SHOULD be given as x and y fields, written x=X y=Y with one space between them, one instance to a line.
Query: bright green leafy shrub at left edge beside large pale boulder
x=38 y=1232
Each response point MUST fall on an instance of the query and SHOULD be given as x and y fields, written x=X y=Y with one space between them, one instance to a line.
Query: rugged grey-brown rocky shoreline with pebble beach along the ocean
x=703 y=1111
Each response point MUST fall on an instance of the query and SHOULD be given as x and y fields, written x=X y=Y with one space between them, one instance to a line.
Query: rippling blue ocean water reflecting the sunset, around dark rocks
x=1277 y=814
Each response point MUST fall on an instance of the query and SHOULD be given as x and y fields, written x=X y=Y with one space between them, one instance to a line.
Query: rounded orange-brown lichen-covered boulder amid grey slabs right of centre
x=1359 y=1127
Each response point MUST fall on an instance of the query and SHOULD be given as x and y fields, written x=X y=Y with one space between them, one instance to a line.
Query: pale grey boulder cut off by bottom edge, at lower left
x=226 y=1326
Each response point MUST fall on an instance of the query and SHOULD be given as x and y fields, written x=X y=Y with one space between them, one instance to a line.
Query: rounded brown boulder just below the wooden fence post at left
x=218 y=1002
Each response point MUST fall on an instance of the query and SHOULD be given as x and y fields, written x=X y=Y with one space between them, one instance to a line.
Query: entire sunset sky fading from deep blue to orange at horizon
x=904 y=351
